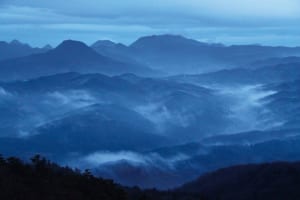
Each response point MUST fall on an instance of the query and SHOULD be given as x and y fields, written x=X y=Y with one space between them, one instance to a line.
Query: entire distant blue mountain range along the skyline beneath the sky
x=148 y=56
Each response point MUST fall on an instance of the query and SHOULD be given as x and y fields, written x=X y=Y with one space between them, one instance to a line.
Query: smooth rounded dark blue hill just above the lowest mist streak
x=85 y=131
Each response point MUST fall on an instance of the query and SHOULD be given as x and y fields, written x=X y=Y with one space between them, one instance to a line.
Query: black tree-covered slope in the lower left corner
x=43 y=180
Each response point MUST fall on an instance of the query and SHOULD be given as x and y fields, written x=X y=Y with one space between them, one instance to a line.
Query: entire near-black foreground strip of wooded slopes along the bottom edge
x=41 y=179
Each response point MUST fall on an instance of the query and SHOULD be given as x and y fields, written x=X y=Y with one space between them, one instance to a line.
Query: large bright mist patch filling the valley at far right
x=248 y=111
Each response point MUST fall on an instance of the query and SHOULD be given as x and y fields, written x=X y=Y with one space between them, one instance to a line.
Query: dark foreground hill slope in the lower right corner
x=279 y=180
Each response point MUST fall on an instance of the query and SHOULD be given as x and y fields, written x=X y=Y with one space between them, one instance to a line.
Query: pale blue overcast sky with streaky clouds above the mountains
x=270 y=22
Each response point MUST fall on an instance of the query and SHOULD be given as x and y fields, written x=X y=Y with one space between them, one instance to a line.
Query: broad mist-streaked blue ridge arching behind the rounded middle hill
x=173 y=108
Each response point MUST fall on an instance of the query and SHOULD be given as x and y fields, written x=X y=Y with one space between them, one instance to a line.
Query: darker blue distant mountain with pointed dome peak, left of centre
x=69 y=56
